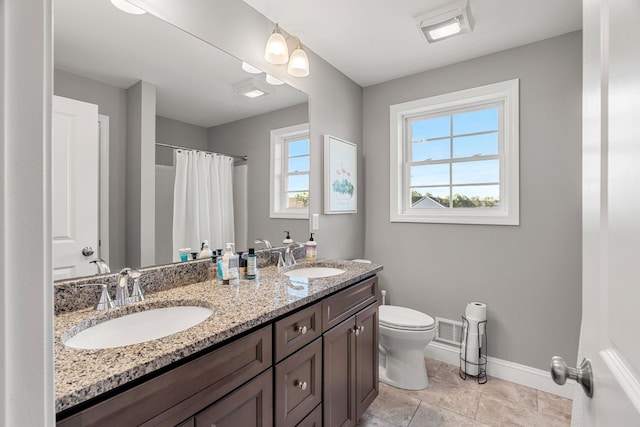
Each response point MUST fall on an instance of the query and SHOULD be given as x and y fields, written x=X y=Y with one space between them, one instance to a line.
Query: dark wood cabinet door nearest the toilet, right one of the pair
x=366 y=358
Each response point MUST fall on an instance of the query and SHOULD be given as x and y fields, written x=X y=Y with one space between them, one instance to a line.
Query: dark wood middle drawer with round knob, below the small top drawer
x=298 y=384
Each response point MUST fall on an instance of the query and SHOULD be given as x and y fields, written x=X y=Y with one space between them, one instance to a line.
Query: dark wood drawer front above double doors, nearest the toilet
x=346 y=303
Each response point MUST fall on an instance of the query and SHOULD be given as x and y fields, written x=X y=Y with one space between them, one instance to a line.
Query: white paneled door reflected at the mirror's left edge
x=74 y=187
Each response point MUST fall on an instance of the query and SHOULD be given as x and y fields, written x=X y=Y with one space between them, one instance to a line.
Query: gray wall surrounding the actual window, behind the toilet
x=529 y=275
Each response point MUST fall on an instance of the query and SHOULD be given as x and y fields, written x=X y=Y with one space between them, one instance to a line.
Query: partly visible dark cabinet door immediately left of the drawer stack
x=249 y=406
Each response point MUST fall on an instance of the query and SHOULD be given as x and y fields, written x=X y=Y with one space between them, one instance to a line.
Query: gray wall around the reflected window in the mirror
x=252 y=137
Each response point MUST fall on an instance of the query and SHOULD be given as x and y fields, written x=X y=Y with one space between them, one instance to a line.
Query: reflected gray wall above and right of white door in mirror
x=111 y=102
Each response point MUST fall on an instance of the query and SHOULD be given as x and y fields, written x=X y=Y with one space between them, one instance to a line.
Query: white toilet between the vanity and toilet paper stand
x=404 y=333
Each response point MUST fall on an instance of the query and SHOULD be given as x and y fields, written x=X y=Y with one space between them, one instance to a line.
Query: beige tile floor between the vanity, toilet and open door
x=451 y=401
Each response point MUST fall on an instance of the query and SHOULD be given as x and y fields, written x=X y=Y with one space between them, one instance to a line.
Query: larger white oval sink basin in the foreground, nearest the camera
x=138 y=327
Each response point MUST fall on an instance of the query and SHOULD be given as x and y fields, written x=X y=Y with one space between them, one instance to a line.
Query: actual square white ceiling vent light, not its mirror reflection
x=446 y=22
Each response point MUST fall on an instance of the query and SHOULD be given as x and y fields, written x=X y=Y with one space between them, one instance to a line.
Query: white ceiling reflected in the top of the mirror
x=193 y=79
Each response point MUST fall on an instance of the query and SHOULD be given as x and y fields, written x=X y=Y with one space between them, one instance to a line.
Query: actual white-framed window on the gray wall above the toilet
x=454 y=157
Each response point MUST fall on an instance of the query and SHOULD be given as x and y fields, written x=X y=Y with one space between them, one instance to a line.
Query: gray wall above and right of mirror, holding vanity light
x=335 y=105
